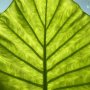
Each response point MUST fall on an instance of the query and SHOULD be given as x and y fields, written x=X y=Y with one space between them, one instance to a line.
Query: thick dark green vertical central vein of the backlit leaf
x=44 y=50
